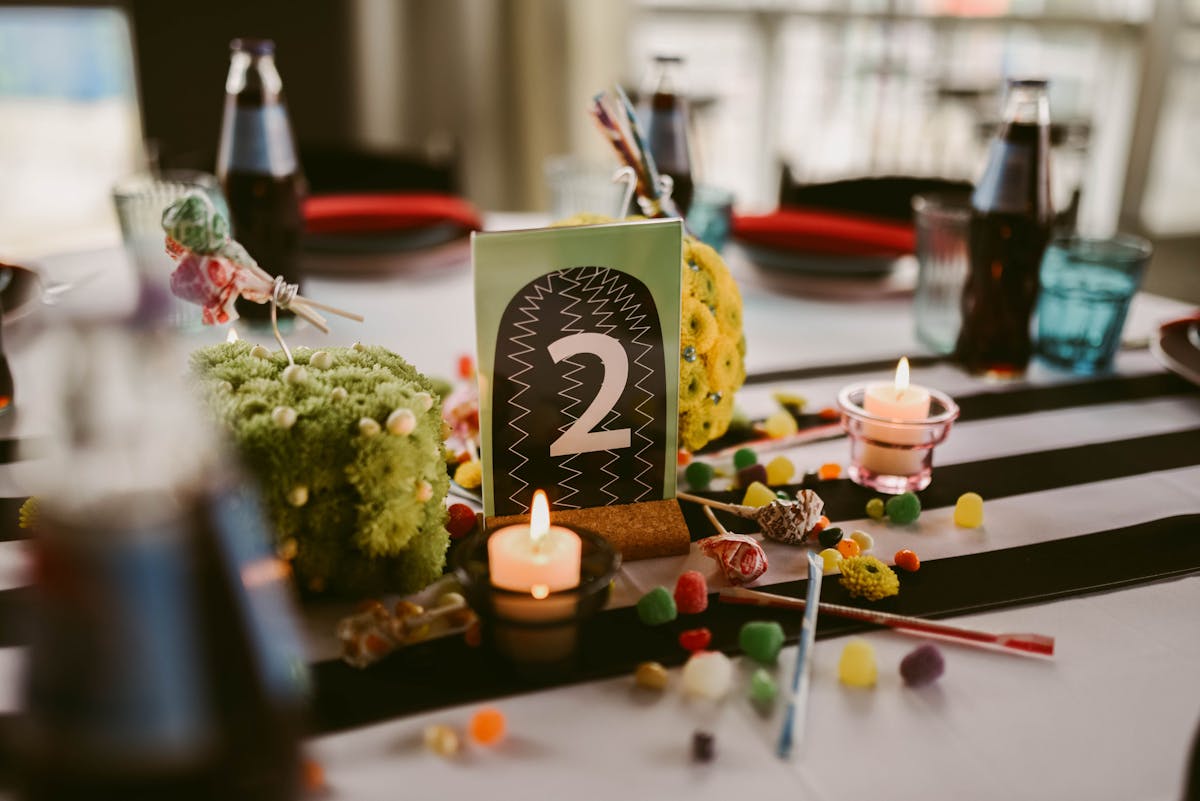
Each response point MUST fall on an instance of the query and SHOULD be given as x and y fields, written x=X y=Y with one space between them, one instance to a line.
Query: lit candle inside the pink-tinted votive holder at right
x=899 y=401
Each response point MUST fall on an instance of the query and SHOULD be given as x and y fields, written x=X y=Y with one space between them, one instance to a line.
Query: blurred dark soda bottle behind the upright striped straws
x=664 y=115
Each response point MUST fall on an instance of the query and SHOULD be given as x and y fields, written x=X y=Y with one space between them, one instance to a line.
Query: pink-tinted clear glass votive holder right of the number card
x=893 y=456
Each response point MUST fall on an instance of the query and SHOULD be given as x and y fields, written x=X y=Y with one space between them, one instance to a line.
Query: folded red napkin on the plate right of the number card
x=825 y=232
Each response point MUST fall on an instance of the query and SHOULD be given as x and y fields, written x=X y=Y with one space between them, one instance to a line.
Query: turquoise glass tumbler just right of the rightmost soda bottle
x=1087 y=288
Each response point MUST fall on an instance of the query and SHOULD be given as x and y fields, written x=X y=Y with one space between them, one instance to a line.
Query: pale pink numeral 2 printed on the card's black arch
x=580 y=438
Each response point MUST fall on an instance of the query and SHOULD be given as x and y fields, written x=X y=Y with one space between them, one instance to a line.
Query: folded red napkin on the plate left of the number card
x=370 y=214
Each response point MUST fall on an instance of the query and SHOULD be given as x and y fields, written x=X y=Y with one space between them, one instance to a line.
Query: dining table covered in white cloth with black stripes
x=1091 y=535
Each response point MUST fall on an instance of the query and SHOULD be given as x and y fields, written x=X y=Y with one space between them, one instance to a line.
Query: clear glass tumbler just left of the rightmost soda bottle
x=943 y=222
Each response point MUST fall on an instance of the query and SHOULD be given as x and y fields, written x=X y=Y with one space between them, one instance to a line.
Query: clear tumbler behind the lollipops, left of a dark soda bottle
x=140 y=204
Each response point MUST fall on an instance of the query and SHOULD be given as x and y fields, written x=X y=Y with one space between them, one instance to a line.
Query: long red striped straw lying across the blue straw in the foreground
x=1019 y=645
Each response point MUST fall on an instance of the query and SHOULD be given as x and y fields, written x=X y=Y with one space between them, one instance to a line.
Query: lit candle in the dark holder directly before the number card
x=538 y=558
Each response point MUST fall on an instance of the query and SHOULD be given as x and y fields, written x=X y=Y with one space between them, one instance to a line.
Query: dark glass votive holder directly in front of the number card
x=539 y=637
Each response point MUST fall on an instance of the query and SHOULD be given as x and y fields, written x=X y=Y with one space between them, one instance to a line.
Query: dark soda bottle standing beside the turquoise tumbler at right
x=1011 y=222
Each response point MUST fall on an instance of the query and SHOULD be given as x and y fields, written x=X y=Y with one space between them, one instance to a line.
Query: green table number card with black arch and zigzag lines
x=579 y=342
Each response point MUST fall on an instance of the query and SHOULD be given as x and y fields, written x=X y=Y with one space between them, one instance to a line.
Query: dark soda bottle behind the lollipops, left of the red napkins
x=259 y=168
